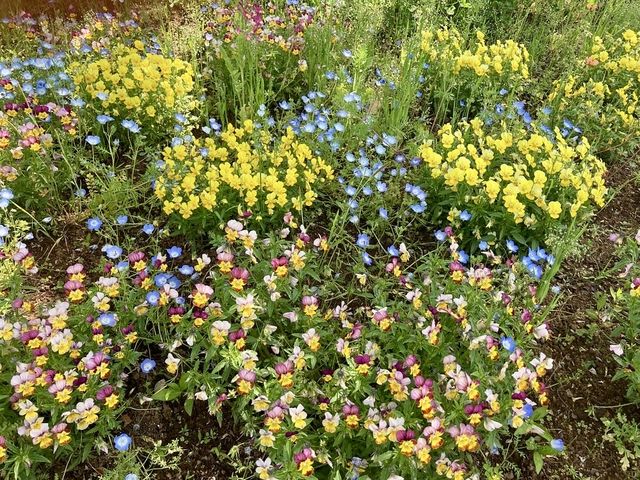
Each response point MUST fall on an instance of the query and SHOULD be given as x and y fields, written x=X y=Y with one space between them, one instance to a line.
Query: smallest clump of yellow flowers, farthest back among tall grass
x=450 y=55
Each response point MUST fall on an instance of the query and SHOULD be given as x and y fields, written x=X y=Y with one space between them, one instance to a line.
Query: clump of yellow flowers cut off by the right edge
x=601 y=96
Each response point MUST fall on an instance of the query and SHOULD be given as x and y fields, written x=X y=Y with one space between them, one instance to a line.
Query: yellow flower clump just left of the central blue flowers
x=244 y=168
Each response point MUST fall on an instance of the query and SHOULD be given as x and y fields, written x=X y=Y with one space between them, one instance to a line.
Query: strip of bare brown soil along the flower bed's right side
x=582 y=387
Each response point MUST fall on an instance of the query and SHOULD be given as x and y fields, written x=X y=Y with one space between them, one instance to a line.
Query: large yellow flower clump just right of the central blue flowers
x=523 y=174
